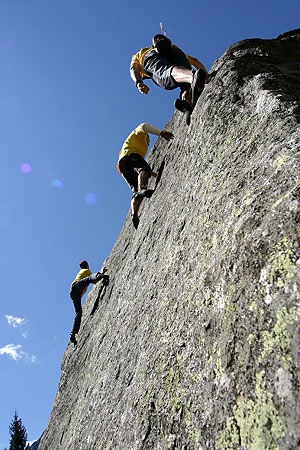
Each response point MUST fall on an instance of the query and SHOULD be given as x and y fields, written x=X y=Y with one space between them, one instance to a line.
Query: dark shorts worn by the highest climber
x=160 y=67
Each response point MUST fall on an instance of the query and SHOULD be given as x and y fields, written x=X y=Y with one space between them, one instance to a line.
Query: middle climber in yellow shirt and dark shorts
x=133 y=167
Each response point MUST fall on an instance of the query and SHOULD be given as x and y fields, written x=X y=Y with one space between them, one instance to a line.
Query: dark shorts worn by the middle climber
x=130 y=166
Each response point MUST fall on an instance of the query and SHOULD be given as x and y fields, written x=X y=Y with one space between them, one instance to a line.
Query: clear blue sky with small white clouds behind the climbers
x=67 y=103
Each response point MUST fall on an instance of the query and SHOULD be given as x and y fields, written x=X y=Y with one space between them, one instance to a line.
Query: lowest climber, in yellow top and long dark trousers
x=79 y=287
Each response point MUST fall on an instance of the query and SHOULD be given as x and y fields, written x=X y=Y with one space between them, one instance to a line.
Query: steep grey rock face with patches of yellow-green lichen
x=194 y=345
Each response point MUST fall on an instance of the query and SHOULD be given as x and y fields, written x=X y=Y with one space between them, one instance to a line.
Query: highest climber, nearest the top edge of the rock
x=169 y=68
